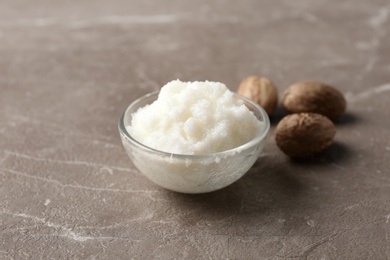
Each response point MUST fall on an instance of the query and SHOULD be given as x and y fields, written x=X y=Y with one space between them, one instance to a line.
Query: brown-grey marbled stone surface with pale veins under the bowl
x=69 y=68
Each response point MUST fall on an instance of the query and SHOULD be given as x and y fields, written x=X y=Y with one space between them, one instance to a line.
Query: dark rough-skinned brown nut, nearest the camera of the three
x=305 y=134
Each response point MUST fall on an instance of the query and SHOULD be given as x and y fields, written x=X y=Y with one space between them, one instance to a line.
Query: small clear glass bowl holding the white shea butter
x=192 y=173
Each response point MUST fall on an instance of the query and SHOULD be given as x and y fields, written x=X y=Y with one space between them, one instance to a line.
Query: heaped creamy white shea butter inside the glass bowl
x=194 y=118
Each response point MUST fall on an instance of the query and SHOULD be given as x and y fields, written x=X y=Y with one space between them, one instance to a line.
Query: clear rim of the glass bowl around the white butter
x=259 y=137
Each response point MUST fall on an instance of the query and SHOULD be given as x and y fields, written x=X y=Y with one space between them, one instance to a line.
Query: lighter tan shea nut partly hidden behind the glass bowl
x=260 y=90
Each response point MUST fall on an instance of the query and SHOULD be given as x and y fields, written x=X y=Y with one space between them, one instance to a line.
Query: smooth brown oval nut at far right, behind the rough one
x=315 y=97
